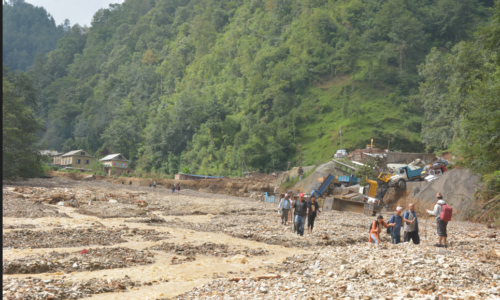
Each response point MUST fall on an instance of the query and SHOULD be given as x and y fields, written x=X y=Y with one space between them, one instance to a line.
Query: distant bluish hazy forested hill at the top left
x=27 y=30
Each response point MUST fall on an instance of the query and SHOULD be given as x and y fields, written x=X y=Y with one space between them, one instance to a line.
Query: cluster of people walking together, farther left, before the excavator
x=300 y=209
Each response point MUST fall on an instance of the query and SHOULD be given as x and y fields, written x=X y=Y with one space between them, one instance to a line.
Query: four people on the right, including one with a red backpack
x=409 y=222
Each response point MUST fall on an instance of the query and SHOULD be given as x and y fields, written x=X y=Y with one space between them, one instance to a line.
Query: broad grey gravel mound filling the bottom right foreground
x=368 y=272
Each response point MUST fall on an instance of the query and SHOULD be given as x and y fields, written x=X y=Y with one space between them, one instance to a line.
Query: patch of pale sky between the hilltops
x=77 y=11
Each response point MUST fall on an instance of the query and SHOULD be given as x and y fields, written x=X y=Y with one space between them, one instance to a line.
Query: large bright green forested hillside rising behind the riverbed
x=215 y=85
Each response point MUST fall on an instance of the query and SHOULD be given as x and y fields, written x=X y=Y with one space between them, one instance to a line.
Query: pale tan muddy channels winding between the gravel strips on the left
x=181 y=277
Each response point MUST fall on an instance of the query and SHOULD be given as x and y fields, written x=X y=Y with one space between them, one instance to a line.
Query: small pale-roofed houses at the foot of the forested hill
x=114 y=164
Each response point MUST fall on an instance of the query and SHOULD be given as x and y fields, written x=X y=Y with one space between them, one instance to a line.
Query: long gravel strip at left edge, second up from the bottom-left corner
x=85 y=260
